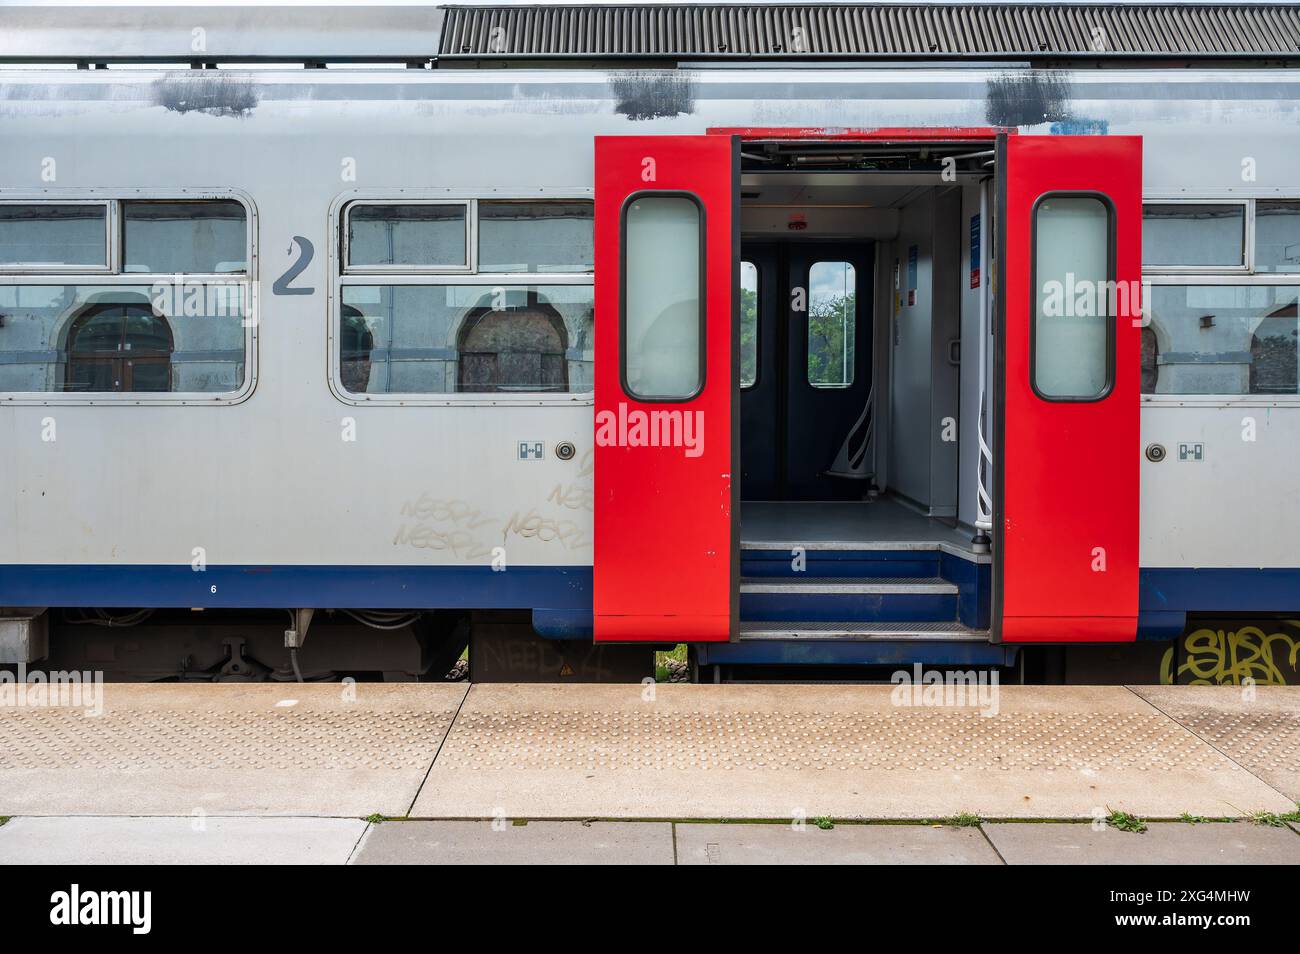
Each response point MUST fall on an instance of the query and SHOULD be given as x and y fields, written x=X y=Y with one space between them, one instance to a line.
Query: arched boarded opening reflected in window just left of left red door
x=518 y=349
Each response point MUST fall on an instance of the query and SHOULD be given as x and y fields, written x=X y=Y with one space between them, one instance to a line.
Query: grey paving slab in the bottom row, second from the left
x=538 y=843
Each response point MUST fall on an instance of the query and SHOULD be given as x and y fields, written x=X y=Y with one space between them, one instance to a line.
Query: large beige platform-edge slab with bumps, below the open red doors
x=846 y=752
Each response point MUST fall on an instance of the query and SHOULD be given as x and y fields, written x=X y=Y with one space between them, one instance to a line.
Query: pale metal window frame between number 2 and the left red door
x=340 y=277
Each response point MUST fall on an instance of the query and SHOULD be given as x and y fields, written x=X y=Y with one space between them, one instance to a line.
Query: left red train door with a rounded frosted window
x=668 y=250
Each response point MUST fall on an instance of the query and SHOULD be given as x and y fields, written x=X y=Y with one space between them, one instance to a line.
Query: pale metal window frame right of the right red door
x=1154 y=276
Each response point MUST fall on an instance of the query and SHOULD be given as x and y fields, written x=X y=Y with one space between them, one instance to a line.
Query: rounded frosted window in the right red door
x=1073 y=332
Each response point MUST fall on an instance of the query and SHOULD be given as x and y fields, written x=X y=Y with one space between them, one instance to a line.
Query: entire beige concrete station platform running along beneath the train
x=323 y=758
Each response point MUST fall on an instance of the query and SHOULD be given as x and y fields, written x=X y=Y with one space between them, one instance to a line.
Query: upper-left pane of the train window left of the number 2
x=62 y=236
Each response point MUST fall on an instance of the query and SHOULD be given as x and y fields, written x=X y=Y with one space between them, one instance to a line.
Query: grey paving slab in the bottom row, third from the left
x=742 y=844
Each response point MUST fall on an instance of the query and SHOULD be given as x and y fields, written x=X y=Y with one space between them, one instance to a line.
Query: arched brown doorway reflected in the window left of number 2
x=119 y=348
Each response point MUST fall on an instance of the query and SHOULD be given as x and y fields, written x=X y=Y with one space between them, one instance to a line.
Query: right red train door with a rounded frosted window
x=1067 y=498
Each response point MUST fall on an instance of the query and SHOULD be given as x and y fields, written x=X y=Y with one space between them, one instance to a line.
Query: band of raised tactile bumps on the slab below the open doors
x=756 y=741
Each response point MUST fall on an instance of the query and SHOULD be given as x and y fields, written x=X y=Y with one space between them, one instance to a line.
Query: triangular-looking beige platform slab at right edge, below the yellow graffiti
x=1259 y=730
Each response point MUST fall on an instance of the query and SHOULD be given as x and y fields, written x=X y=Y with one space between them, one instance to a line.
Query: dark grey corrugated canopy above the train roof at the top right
x=852 y=32
